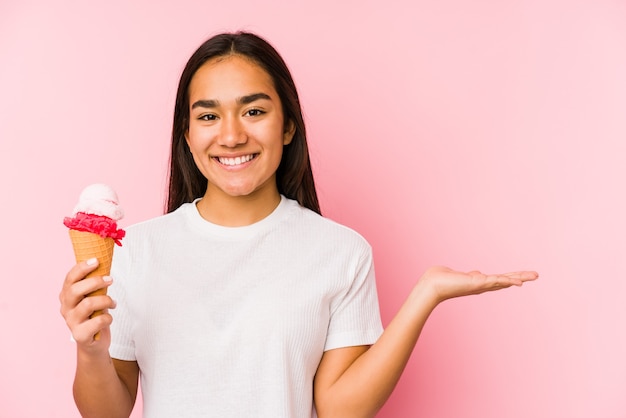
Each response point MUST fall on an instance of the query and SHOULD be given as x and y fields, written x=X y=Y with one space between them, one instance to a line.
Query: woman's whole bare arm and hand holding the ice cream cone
x=103 y=387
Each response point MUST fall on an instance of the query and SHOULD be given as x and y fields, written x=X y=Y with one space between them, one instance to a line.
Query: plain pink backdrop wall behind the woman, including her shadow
x=485 y=134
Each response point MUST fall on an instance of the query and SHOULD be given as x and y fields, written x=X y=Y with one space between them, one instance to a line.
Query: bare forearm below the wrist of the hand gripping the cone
x=98 y=390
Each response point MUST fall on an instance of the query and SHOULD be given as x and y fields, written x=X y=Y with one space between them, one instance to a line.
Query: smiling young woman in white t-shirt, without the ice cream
x=242 y=301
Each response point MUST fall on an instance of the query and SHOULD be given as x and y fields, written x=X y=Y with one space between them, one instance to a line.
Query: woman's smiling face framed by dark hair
x=236 y=127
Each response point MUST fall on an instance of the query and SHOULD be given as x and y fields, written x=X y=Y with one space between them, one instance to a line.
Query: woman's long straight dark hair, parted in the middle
x=294 y=177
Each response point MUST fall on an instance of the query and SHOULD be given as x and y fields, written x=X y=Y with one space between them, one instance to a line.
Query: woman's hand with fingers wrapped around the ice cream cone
x=77 y=307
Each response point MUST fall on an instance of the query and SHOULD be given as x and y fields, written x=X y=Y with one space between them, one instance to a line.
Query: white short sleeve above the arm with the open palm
x=355 y=317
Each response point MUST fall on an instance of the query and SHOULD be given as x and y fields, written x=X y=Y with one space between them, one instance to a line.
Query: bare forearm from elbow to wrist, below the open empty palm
x=367 y=384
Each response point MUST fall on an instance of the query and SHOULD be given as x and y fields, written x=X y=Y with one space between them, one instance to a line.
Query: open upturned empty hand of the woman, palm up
x=447 y=283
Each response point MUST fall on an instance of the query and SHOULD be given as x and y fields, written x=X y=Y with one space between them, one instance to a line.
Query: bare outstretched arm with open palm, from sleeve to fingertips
x=357 y=381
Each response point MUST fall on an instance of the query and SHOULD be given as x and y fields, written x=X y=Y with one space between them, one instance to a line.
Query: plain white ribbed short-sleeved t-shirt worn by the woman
x=232 y=322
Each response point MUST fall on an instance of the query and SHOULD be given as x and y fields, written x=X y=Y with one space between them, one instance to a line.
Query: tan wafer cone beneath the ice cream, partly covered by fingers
x=89 y=245
